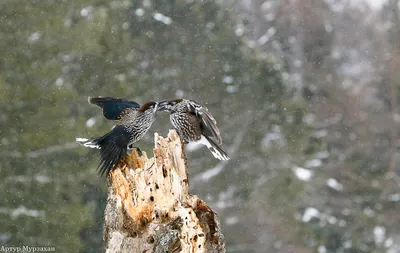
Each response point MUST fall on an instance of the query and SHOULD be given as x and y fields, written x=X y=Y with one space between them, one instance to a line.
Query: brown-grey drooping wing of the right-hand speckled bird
x=208 y=123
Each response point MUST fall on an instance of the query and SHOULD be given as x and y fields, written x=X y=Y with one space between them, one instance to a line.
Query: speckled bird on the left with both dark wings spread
x=133 y=121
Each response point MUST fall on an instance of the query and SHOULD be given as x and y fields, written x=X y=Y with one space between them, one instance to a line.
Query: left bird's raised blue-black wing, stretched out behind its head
x=113 y=107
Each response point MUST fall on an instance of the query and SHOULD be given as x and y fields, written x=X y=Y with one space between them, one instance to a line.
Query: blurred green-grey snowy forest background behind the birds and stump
x=305 y=93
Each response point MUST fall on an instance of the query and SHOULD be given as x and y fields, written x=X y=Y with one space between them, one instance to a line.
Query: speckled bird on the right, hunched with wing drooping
x=194 y=123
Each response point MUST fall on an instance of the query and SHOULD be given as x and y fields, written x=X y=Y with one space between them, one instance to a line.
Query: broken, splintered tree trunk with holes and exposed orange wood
x=149 y=208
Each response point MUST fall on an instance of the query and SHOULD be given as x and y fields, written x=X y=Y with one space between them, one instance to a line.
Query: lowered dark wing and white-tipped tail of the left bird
x=113 y=147
